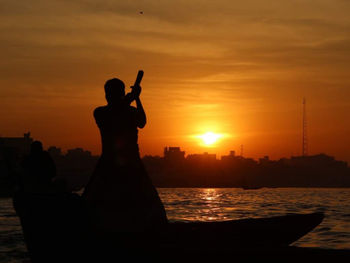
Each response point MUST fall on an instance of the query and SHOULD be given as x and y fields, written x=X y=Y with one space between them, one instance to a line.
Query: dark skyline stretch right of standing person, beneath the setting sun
x=205 y=170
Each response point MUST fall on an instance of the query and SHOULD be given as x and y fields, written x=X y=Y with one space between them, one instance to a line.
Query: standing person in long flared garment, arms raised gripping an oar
x=120 y=195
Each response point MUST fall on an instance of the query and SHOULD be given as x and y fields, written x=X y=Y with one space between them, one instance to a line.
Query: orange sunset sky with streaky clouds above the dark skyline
x=236 y=68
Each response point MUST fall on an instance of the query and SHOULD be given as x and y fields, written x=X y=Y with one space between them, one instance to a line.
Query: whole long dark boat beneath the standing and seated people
x=58 y=225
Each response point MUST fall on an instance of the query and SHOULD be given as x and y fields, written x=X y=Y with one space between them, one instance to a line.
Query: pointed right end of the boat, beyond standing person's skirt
x=271 y=231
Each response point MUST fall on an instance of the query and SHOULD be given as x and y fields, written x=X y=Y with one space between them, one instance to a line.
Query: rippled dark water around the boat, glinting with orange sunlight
x=206 y=204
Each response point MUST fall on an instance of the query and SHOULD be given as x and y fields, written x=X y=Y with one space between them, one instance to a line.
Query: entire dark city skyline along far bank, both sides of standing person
x=175 y=169
